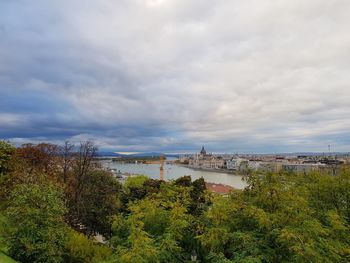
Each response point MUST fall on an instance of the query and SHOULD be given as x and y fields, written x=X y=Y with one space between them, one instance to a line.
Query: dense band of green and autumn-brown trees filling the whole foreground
x=55 y=199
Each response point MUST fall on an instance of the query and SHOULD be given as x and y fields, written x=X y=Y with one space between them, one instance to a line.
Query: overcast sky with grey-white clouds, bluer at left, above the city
x=172 y=75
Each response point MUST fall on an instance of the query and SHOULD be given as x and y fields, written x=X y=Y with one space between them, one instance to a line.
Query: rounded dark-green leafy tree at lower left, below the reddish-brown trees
x=37 y=228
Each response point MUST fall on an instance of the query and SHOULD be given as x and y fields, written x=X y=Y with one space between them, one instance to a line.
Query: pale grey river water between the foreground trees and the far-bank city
x=173 y=171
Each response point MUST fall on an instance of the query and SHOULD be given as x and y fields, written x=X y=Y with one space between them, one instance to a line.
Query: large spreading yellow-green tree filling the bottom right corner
x=275 y=219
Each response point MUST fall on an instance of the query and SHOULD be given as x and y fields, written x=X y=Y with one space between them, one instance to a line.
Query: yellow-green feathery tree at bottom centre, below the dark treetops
x=158 y=225
